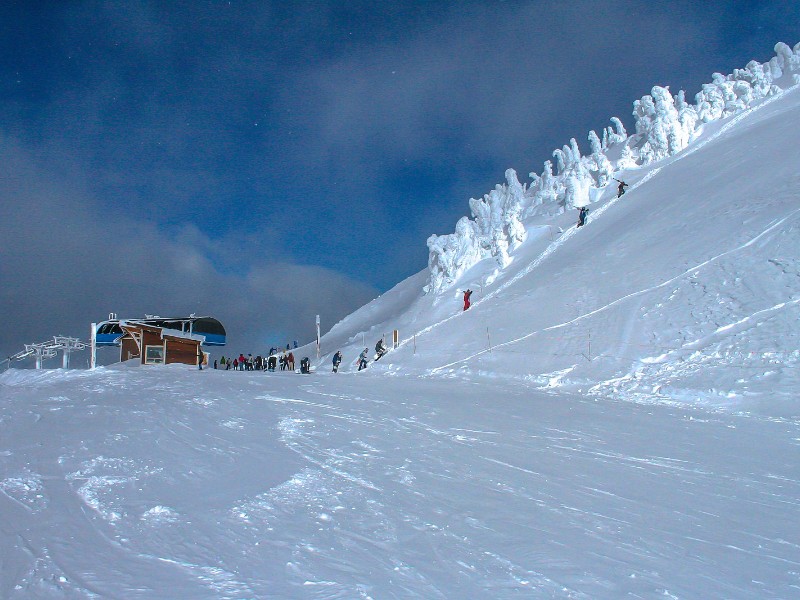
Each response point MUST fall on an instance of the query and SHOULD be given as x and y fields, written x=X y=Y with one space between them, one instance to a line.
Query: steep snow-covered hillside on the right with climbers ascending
x=684 y=289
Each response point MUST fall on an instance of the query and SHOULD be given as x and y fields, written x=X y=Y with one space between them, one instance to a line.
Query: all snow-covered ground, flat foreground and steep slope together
x=616 y=416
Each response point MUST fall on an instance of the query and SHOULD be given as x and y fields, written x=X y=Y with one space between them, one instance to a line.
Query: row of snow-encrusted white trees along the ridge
x=665 y=125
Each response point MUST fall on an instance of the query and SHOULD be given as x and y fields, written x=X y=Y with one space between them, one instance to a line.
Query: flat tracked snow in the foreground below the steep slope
x=242 y=485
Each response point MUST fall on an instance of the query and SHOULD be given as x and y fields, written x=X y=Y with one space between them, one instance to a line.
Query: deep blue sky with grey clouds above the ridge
x=264 y=162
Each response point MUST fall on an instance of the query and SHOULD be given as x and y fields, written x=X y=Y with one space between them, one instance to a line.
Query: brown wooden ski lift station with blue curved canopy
x=157 y=340
